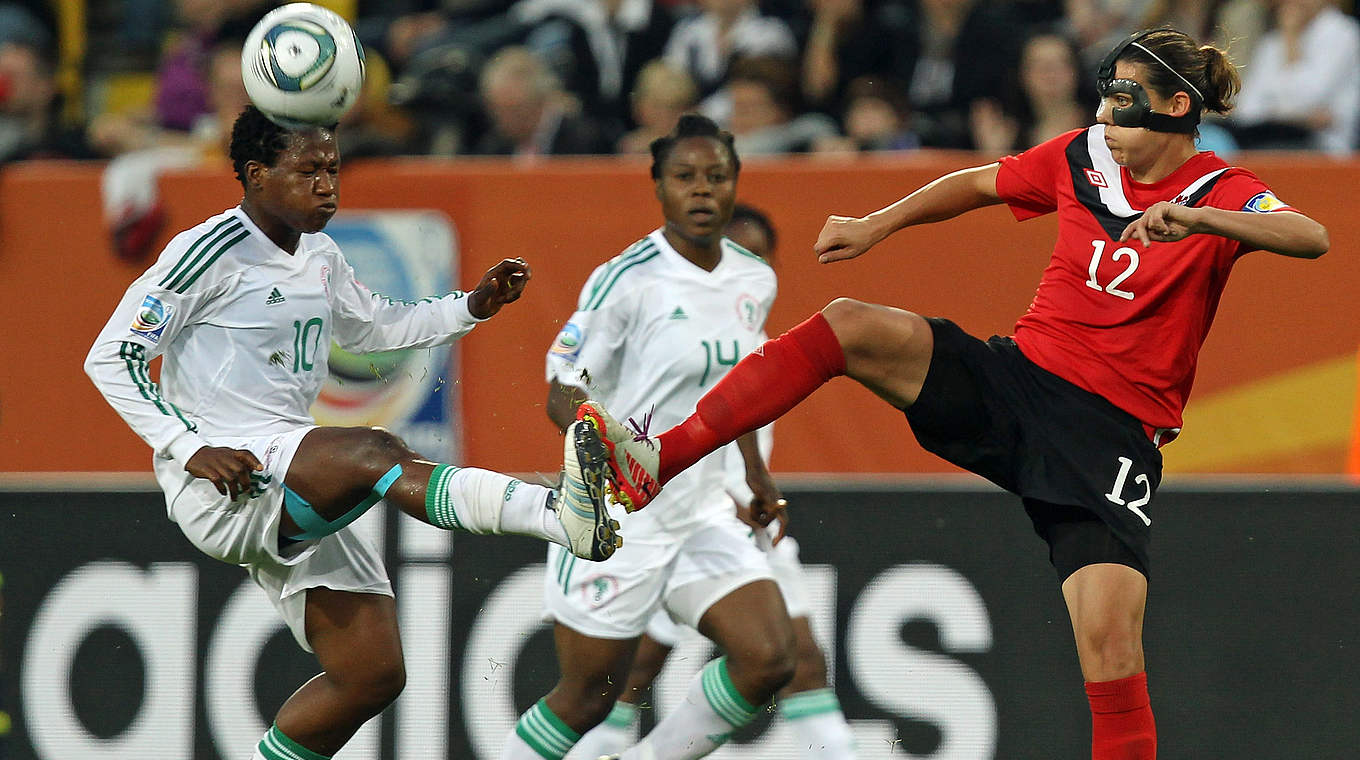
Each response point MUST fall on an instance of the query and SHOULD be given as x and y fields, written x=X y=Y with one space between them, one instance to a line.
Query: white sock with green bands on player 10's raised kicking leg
x=481 y=501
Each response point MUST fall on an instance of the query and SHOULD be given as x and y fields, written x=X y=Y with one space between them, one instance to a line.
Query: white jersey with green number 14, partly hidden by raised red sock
x=652 y=335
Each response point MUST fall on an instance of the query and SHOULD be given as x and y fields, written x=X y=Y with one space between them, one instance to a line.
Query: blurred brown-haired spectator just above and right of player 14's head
x=765 y=97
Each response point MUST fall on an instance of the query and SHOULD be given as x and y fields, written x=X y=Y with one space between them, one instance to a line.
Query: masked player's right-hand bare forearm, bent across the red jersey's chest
x=1287 y=233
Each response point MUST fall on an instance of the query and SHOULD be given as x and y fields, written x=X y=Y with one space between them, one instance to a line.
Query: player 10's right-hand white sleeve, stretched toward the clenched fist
x=368 y=322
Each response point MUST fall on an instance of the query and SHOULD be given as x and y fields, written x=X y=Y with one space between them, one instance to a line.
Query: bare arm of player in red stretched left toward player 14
x=848 y=237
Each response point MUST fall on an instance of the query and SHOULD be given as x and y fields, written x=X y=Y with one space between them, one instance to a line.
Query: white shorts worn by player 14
x=617 y=599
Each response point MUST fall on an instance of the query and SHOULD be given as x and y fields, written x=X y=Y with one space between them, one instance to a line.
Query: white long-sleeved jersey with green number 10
x=245 y=330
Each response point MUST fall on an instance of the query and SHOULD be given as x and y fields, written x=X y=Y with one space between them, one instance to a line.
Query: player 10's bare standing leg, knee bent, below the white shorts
x=357 y=642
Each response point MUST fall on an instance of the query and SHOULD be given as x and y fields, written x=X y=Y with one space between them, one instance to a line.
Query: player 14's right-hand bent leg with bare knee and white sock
x=753 y=627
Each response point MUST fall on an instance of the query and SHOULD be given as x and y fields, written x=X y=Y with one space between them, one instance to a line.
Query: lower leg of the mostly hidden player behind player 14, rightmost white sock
x=811 y=705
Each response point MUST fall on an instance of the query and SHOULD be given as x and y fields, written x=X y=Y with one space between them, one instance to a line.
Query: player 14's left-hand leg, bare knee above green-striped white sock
x=594 y=672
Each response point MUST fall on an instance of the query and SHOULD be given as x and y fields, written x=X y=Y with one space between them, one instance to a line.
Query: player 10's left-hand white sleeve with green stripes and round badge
x=149 y=317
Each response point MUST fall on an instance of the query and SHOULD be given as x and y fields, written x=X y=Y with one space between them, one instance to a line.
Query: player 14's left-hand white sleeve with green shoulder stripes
x=587 y=351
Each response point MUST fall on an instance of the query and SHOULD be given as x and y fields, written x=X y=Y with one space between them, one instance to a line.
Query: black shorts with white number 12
x=1085 y=468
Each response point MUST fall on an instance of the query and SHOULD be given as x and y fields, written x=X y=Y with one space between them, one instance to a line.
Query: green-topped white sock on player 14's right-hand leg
x=704 y=723
